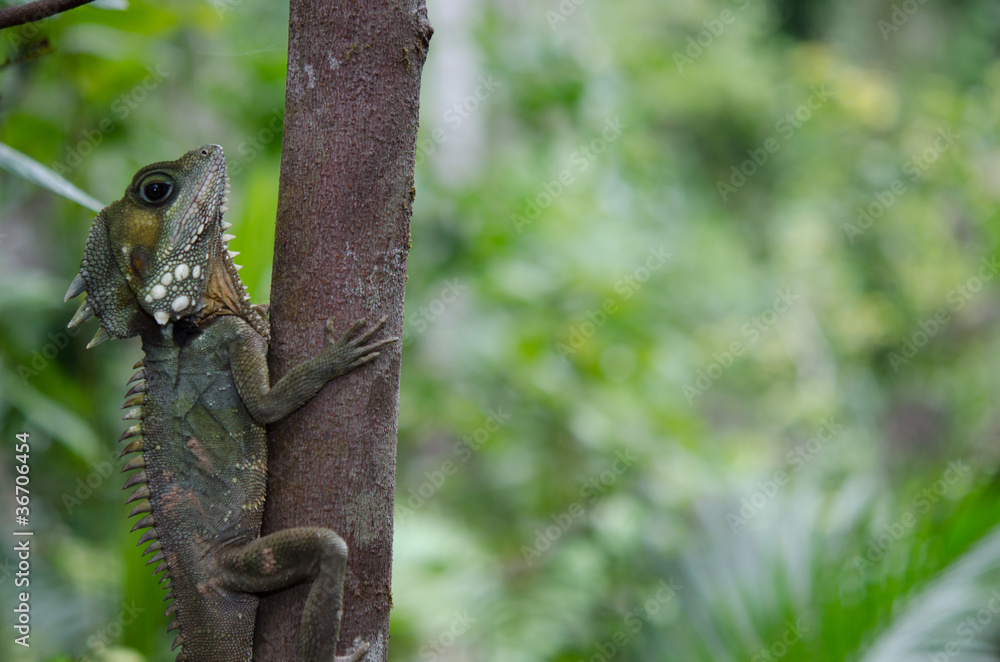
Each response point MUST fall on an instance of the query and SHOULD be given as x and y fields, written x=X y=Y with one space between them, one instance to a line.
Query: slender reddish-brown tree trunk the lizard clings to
x=341 y=242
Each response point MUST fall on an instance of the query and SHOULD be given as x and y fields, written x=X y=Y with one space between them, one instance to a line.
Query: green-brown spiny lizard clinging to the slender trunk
x=157 y=264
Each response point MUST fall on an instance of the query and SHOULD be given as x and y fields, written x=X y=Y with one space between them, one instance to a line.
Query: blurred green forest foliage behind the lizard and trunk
x=701 y=356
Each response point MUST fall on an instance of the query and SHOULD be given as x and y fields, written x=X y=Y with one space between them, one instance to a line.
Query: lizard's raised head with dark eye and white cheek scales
x=160 y=251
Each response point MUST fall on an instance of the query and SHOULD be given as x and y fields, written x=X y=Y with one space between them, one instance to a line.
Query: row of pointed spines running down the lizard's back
x=139 y=481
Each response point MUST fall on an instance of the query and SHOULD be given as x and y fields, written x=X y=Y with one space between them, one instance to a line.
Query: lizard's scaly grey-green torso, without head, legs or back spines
x=211 y=499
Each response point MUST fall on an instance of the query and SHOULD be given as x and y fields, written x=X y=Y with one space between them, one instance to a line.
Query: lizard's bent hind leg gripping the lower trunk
x=289 y=557
